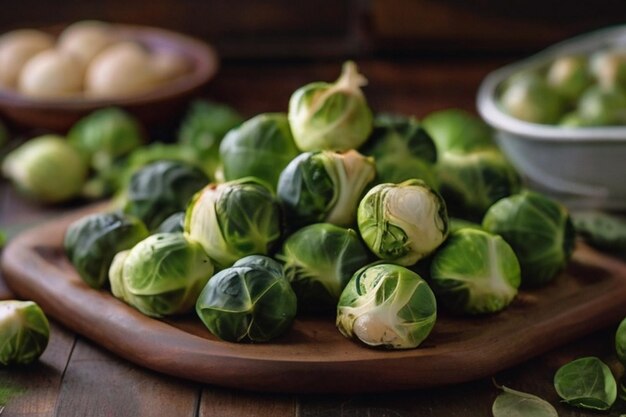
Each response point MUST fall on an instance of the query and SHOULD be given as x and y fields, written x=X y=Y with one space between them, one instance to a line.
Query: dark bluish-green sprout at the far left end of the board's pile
x=92 y=241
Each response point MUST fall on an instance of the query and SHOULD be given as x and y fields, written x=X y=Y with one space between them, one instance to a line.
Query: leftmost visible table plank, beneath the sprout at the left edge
x=39 y=384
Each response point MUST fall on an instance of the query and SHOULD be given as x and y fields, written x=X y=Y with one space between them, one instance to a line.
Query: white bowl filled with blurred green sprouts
x=560 y=117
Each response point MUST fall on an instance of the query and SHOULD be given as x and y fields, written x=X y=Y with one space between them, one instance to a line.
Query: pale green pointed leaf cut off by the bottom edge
x=512 y=403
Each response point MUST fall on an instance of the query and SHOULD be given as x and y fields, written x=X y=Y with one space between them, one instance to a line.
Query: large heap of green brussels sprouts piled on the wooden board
x=327 y=210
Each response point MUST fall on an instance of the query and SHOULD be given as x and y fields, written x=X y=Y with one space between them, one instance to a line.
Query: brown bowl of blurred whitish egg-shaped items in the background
x=51 y=77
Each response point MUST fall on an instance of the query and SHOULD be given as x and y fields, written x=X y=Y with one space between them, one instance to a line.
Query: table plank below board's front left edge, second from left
x=99 y=384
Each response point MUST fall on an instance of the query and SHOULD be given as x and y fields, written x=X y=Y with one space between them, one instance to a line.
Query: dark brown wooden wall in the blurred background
x=327 y=28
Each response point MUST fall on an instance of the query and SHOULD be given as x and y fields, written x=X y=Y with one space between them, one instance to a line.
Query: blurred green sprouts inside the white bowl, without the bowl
x=571 y=91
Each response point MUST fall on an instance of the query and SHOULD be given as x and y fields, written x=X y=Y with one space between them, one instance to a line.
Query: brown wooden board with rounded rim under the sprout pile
x=313 y=356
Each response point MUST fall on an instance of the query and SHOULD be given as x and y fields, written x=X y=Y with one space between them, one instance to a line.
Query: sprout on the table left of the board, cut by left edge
x=24 y=332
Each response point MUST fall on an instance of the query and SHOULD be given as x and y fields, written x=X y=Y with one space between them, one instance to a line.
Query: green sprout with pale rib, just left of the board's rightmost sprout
x=475 y=272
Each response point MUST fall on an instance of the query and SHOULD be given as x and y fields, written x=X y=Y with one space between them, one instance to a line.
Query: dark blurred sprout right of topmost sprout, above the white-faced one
x=402 y=150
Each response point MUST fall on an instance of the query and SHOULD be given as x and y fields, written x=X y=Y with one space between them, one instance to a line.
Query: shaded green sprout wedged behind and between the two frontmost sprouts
x=319 y=261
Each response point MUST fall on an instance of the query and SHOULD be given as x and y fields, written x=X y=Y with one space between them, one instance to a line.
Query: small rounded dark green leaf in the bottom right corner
x=586 y=383
